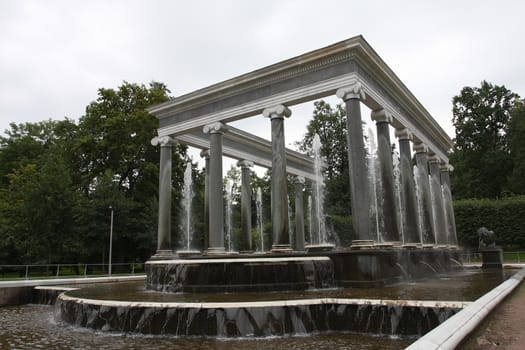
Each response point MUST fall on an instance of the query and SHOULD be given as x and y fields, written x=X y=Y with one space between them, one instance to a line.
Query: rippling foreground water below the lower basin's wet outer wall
x=34 y=327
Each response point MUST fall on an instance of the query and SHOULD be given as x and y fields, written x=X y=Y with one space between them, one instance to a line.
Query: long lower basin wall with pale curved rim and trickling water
x=260 y=318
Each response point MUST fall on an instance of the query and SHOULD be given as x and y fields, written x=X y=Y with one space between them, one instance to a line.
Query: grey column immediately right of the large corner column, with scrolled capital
x=384 y=151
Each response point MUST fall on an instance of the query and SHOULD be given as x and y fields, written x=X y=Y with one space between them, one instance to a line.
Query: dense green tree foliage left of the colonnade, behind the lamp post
x=58 y=180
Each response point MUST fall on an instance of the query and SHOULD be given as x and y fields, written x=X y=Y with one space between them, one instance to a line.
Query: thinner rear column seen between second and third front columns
x=246 y=207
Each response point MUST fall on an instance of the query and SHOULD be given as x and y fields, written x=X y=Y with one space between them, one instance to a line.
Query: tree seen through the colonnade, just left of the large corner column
x=330 y=124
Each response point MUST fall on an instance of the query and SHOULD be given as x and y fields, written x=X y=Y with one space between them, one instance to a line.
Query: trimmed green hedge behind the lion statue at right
x=506 y=217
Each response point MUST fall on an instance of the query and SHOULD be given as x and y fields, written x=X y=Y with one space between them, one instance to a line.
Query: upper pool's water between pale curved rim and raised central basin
x=465 y=285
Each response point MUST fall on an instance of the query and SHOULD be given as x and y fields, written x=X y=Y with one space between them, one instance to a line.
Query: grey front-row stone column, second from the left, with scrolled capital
x=216 y=202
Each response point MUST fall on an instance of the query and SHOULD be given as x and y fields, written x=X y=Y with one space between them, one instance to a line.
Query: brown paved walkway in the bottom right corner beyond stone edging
x=504 y=328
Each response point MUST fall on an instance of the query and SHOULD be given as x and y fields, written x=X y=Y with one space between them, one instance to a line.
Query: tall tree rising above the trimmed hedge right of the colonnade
x=481 y=153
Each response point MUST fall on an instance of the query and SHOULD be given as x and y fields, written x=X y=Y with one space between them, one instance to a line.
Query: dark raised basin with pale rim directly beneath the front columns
x=227 y=275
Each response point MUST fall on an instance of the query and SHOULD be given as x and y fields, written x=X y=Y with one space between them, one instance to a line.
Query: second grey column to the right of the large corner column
x=409 y=213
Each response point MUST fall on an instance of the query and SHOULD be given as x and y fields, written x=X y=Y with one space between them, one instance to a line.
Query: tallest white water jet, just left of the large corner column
x=319 y=191
